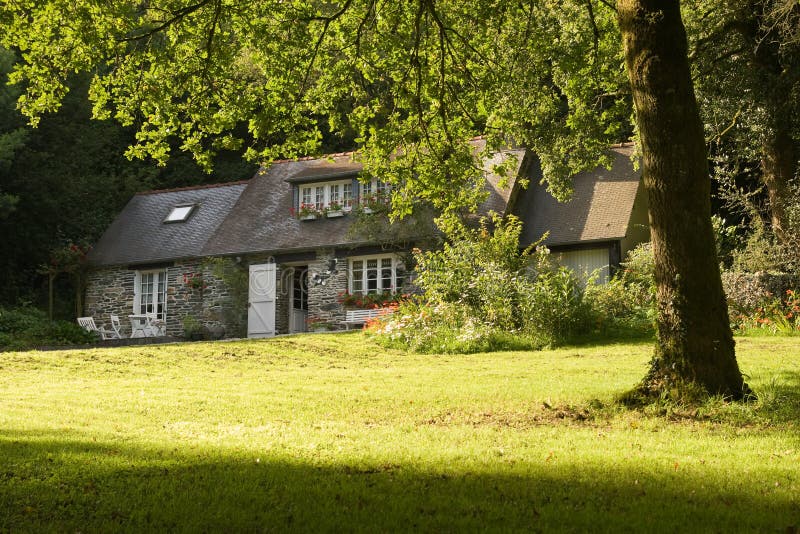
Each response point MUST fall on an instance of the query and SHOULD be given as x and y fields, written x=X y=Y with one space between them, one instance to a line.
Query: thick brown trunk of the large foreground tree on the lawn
x=695 y=345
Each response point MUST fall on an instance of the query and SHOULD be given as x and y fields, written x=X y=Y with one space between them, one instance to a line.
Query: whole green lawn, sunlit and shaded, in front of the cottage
x=332 y=432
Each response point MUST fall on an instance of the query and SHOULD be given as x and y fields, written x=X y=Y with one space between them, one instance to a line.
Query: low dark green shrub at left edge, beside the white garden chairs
x=24 y=328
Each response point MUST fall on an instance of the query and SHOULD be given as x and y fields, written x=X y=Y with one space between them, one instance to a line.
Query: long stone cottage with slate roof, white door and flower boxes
x=278 y=251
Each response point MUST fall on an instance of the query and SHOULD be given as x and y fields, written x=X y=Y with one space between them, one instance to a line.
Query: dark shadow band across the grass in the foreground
x=63 y=482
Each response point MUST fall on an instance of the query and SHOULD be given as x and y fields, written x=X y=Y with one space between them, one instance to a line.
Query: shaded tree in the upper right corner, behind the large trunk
x=746 y=58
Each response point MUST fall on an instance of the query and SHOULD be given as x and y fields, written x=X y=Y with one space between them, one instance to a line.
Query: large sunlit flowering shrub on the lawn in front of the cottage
x=481 y=293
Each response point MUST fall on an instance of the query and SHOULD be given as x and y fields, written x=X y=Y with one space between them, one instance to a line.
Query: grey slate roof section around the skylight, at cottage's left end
x=139 y=235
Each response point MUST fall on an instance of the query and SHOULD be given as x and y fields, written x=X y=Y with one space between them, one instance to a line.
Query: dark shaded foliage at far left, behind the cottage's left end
x=64 y=182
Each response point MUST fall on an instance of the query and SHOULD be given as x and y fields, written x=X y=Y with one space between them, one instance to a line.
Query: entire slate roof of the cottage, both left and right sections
x=254 y=216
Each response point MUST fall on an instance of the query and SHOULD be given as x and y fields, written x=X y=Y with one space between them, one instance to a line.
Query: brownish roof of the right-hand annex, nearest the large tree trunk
x=600 y=208
